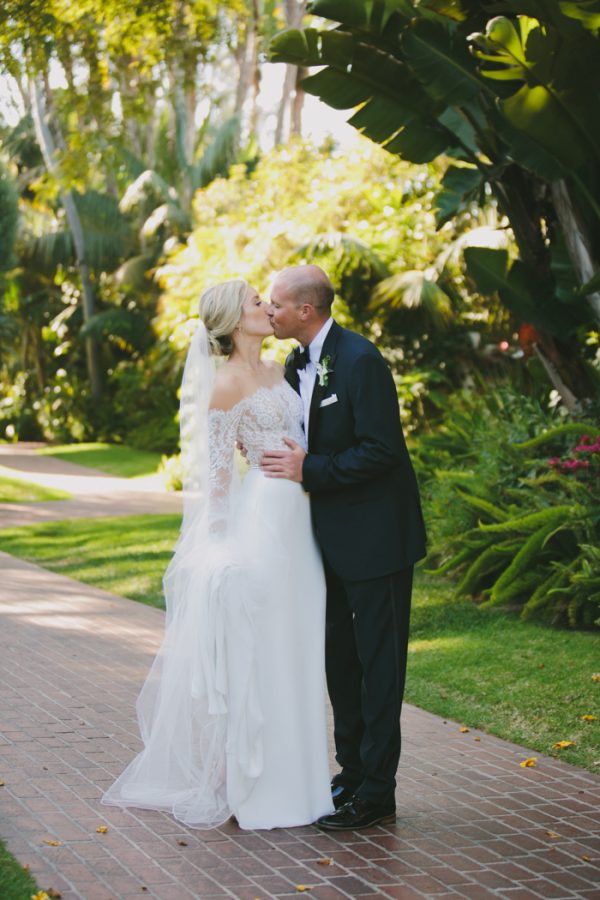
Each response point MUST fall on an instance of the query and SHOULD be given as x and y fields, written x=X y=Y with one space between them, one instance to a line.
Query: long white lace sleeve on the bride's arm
x=222 y=429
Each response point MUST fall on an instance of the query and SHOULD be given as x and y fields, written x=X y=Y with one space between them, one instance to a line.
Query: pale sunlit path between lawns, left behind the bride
x=94 y=493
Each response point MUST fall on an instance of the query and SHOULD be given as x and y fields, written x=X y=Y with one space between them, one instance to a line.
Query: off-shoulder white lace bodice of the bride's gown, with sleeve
x=259 y=422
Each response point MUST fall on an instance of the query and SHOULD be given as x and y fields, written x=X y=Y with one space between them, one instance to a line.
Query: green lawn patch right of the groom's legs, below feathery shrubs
x=523 y=681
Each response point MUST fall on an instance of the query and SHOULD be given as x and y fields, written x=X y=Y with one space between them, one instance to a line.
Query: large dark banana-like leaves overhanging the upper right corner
x=509 y=91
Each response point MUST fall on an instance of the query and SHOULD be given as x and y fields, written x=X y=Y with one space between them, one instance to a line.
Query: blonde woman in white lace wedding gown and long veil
x=232 y=713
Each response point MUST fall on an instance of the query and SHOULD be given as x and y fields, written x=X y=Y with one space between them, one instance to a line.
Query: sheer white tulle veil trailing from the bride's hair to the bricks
x=190 y=753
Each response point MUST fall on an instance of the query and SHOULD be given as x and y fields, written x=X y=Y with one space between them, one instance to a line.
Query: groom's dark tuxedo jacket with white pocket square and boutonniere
x=363 y=491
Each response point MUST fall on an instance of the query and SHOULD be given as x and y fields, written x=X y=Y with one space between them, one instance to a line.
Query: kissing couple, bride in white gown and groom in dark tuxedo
x=298 y=577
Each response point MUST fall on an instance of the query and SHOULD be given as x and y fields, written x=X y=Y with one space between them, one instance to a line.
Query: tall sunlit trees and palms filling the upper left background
x=125 y=111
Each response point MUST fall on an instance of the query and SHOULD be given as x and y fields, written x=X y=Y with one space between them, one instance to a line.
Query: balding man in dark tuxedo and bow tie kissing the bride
x=367 y=519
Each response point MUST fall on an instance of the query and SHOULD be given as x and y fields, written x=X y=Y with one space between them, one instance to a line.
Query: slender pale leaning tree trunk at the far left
x=48 y=149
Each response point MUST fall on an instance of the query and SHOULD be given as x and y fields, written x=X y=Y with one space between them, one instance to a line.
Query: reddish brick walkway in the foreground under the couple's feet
x=471 y=822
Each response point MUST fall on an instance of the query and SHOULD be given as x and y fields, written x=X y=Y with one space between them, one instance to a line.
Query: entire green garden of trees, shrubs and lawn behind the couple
x=461 y=230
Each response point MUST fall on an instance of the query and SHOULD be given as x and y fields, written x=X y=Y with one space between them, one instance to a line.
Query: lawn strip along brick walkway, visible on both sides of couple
x=523 y=681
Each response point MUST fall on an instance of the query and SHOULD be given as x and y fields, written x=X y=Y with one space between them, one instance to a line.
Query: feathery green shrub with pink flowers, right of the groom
x=514 y=506
